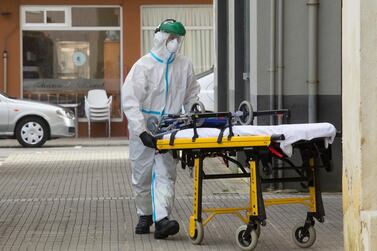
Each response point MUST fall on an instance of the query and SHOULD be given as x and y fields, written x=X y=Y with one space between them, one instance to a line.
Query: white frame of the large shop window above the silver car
x=68 y=26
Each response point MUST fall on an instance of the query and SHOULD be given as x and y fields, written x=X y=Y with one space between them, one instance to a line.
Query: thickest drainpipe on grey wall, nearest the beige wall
x=313 y=59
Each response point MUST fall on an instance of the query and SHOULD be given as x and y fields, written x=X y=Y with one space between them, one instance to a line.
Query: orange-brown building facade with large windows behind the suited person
x=56 y=51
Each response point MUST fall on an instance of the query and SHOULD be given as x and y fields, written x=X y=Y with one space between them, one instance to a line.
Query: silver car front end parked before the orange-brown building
x=32 y=123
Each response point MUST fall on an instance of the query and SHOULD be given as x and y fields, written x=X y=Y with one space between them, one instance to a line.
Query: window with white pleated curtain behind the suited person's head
x=198 y=20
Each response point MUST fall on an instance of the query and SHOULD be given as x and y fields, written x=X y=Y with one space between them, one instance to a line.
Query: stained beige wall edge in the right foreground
x=359 y=124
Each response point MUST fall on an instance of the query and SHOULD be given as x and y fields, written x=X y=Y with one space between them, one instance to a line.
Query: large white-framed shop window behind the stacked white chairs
x=63 y=61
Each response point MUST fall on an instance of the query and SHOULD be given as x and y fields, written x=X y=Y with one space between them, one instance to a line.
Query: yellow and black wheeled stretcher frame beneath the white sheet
x=195 y=150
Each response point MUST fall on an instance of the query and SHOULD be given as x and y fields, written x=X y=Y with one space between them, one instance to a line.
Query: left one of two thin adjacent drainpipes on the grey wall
x=272 y=58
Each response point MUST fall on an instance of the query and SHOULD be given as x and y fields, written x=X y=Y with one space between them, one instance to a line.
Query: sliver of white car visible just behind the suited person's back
x=206 y=95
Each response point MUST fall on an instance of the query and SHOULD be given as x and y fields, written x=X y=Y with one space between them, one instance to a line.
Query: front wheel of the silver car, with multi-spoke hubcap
x=32 y=132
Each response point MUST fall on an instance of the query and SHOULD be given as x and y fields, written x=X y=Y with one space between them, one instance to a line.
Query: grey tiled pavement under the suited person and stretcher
x=80 y=199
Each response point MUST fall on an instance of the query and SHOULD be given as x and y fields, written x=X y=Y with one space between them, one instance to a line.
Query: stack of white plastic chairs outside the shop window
x=98 y=108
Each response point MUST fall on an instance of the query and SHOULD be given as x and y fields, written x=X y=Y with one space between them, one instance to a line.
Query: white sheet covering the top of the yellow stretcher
x=291 y=132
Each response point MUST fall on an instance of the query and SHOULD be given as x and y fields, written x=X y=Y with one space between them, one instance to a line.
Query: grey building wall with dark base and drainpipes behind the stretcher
x=282 y=54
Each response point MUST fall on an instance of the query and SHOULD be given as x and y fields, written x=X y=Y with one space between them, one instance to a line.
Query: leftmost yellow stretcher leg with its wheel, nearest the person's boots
x=196 y=230
